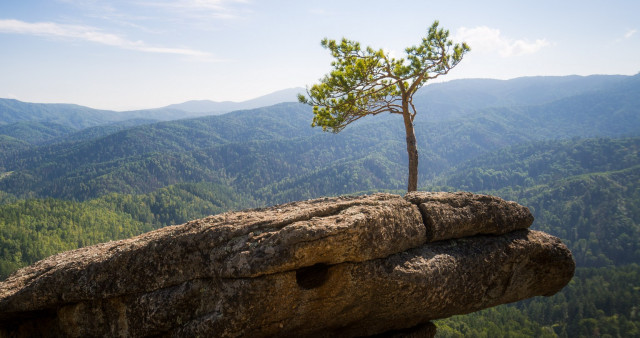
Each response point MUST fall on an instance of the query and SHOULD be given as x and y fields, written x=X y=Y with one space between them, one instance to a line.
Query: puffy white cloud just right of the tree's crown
x=489 y=40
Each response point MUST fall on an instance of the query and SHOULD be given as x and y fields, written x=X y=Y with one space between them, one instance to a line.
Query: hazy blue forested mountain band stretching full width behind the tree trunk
x=270 y=152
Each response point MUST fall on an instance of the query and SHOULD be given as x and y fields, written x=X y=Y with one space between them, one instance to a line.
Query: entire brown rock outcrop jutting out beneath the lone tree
x=344 y=266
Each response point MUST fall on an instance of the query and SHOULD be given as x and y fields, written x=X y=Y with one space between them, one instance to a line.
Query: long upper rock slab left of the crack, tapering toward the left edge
x=232 y=245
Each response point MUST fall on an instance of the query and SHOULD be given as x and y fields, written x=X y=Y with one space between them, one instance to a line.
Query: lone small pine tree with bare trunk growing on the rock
x=369 y=82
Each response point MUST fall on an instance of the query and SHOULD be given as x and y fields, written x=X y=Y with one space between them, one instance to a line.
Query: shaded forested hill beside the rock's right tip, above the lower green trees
x=586 y=192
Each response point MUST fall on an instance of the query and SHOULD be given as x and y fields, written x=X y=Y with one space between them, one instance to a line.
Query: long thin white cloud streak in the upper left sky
x=92 y=34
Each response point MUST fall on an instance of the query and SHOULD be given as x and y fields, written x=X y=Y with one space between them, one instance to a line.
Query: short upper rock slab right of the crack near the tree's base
x=462 y=214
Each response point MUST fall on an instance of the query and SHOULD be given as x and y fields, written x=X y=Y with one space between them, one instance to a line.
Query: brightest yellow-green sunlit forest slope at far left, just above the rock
x=33 y=229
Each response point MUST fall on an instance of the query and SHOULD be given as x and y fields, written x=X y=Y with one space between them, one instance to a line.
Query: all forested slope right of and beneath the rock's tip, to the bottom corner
x=587 y=192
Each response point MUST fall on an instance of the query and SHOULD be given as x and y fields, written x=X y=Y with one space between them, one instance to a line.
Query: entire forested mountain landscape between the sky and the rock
x=566 y=147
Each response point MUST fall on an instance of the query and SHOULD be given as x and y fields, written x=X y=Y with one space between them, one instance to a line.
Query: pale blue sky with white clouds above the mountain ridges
x=137 y=54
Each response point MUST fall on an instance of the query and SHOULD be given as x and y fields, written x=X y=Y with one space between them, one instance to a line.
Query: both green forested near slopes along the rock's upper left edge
x=33 y=229
